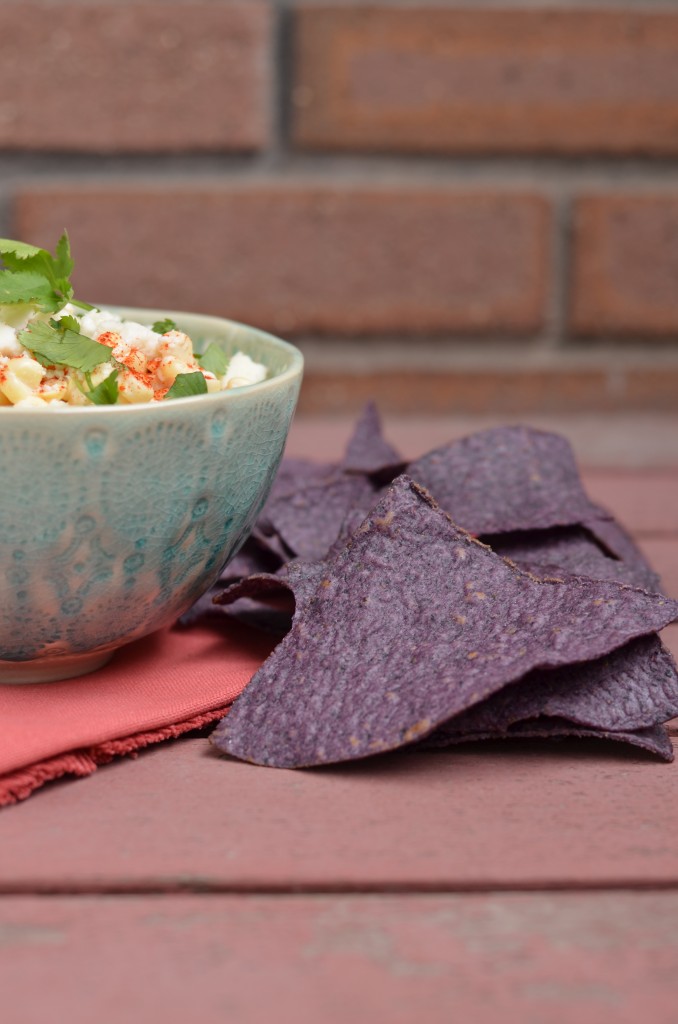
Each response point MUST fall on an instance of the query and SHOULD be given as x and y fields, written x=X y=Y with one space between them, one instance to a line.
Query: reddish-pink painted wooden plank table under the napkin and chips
x=525 y=883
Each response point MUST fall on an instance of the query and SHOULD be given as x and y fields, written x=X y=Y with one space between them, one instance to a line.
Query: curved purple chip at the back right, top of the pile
x=506 y=480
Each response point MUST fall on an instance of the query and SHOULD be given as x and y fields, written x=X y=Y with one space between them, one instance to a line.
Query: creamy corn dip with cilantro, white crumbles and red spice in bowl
x=58 y=352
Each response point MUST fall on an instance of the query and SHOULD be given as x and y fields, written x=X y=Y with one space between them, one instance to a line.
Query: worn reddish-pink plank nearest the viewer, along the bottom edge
x=522 y=959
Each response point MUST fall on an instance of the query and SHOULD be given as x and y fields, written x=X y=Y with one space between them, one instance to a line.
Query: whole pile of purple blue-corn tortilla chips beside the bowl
x=480 y=594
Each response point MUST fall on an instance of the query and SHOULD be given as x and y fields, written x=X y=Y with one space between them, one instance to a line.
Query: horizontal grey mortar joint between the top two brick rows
x=550 y=175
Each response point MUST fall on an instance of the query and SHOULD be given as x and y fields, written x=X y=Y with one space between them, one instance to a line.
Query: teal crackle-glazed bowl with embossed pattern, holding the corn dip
x=115 y=520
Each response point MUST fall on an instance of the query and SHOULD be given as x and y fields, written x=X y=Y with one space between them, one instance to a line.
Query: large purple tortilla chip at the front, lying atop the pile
x=411 y=624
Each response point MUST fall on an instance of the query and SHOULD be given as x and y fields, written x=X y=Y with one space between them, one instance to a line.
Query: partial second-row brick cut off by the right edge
x=626 y=266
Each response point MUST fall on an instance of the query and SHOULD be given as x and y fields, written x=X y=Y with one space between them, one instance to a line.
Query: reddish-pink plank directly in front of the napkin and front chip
x=501 y=816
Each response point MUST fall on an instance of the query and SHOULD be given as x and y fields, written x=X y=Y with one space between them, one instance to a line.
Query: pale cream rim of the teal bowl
x=294 y=371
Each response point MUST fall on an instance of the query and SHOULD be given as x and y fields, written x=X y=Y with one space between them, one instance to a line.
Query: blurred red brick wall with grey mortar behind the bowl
x=455 y=208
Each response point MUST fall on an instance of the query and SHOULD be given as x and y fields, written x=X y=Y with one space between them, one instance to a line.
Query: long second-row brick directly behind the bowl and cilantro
x=308 y=259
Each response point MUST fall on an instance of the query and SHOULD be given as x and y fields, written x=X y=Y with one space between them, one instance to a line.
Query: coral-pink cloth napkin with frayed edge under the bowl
x=154 y=690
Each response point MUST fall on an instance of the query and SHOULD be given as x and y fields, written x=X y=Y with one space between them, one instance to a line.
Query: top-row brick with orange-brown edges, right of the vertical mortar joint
x=487 y=81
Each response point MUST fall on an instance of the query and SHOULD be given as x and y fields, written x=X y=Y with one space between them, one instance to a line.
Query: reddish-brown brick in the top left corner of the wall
x=134 y=77
